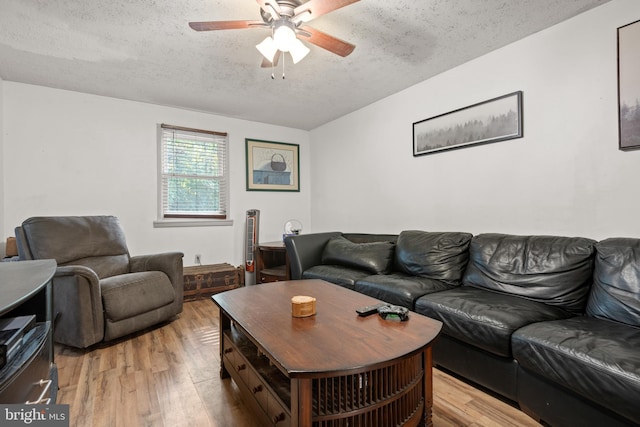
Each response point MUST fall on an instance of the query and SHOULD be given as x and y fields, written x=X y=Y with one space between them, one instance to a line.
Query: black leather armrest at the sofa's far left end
x=305 y=251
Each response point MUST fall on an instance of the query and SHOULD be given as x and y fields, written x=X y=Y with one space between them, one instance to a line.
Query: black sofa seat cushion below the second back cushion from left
x=399 y=288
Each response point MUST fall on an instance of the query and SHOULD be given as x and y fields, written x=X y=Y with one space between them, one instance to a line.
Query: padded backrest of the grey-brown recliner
x=96 y=242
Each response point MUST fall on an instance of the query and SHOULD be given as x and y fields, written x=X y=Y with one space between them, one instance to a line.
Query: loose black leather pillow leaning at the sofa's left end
x=374 y=257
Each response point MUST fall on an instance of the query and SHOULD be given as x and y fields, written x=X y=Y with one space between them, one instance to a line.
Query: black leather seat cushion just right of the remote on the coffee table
x=482 y=318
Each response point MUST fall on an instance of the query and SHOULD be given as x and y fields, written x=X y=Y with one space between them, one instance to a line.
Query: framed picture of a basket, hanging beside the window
x=272 y=166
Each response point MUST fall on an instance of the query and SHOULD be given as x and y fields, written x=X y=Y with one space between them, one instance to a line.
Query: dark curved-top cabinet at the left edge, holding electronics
x=30 y=376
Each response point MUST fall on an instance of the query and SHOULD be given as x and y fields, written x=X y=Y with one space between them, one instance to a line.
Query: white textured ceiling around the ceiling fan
x=144 y=50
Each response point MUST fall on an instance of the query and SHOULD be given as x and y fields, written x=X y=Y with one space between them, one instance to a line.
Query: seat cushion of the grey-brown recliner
x=131 y=294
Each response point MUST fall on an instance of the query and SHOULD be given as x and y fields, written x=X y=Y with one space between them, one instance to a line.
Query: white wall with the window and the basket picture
x=67 y=153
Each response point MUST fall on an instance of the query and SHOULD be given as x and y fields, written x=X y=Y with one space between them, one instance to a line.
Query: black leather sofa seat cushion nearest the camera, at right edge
x=595 y=358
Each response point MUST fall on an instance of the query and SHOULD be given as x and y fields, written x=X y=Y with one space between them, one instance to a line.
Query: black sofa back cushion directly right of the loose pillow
x=436 y=255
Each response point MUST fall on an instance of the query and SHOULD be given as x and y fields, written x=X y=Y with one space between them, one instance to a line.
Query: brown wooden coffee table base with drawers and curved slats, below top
x=390 y=394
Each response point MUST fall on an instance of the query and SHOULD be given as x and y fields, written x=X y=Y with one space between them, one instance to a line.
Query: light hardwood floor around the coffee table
x=169 y=376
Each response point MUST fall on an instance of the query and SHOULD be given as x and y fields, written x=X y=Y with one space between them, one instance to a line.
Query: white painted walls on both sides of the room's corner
x=66 y=153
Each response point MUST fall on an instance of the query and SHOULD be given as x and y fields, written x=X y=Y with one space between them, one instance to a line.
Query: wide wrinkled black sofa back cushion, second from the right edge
x=553 y=270
